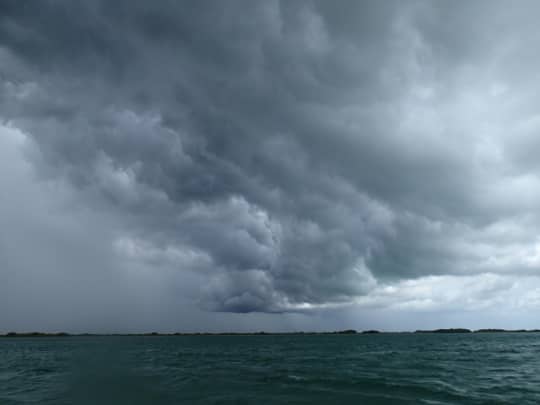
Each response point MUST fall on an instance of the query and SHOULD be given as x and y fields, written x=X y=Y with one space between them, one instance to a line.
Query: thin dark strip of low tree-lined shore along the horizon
x=262 y=333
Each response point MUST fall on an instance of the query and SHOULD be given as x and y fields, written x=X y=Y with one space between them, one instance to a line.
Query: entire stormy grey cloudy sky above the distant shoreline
x=269 y=165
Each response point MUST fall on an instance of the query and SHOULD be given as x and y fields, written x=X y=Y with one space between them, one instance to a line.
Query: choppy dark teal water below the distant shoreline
x=363 y=369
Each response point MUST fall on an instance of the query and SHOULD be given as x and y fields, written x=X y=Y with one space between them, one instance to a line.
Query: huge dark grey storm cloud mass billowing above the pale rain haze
x=287 y=155
